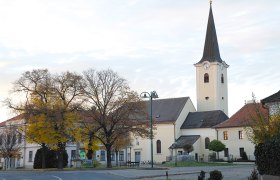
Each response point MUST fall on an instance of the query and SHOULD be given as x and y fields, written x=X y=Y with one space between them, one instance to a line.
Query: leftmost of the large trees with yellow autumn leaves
x=35 y=86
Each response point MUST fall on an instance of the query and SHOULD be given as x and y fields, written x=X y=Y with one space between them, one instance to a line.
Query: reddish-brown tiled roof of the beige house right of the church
x=244 y=116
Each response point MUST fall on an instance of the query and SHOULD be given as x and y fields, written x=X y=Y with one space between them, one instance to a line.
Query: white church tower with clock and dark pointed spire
x=211 y=73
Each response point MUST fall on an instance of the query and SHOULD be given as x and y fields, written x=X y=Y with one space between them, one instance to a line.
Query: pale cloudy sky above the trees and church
x=154 y=44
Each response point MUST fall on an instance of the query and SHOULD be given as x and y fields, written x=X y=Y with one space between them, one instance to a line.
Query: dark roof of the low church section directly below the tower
x=204 y=119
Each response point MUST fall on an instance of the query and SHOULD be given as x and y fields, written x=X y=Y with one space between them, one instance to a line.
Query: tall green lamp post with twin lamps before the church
x=152 y=95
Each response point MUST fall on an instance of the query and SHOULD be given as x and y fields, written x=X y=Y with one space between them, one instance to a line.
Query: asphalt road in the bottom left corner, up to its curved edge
x=56 y=175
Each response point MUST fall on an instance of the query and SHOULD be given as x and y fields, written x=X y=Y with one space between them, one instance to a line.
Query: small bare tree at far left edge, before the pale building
x=10 y=143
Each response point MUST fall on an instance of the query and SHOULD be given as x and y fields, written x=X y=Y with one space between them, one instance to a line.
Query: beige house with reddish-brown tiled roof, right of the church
x=235 y=132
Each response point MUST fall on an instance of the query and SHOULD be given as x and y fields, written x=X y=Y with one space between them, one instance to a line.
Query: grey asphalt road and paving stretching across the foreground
x=234 y=172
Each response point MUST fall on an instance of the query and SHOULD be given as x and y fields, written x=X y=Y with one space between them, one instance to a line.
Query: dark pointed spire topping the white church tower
x=211 y=51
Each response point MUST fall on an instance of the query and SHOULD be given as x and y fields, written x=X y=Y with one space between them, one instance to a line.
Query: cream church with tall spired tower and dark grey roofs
x=177 y=121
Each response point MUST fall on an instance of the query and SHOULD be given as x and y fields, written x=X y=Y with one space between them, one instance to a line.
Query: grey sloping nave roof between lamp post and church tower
x=166 y=109
